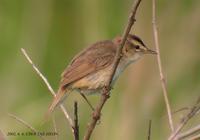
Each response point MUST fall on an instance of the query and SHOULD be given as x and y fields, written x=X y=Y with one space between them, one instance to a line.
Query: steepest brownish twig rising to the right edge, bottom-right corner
x=194 y=110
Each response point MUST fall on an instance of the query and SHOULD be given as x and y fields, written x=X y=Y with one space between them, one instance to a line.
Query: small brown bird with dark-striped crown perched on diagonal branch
x=89 y=71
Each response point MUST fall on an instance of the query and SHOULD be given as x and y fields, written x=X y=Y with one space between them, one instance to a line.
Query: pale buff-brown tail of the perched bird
x=60 y=96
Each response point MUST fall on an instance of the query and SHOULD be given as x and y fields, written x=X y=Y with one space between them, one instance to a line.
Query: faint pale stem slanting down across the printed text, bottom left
x=27 y=125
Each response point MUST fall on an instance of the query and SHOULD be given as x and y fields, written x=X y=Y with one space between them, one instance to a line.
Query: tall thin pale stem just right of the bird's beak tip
x=162 y=78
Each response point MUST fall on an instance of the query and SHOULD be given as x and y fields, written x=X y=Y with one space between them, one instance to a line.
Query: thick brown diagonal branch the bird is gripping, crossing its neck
x=106 y=91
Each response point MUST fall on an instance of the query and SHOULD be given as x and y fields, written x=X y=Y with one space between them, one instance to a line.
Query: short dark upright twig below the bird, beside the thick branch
x=76 y=126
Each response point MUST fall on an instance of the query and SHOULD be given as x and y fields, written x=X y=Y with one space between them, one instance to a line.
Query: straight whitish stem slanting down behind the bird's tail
x=49 y=87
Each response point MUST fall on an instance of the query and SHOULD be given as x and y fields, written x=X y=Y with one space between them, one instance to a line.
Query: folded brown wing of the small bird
x=96 y=57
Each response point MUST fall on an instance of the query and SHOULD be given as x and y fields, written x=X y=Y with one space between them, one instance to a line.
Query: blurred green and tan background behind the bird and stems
x=53 y=31
